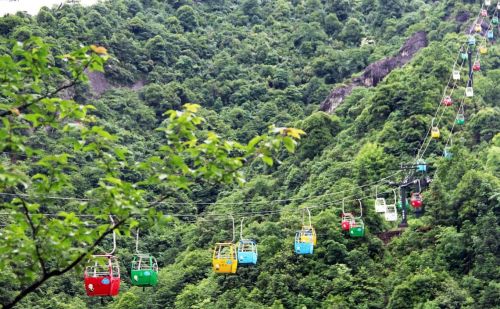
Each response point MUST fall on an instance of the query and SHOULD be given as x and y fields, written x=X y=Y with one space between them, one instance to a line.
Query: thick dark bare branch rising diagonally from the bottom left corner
x=57 y=272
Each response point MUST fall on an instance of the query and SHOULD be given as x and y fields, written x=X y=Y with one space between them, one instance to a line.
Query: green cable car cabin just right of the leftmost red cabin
x=144 y=270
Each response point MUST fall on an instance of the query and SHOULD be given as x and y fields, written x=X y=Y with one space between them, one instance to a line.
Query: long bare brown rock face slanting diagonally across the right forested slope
x=376 y=71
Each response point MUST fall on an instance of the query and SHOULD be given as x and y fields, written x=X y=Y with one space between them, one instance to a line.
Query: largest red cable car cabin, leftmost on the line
x=102 y=276
